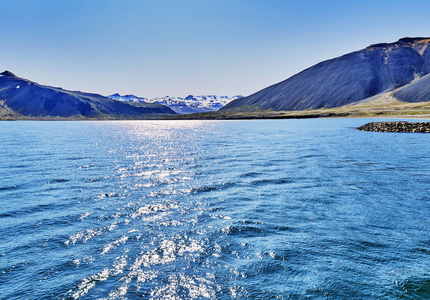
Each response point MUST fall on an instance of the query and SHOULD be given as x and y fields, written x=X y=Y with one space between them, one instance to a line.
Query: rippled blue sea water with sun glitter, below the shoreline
x=261 y=209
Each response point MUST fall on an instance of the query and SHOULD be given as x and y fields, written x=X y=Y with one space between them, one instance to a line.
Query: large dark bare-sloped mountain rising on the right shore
x=350 y=78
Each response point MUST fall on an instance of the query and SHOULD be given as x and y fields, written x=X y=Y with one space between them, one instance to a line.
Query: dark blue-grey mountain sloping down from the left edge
x=21 y=97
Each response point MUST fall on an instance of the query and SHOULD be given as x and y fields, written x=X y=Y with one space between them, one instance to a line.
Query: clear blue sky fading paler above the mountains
x=154 y=48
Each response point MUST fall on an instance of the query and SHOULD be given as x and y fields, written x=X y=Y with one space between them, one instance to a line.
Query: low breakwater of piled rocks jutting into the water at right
x=400 y=126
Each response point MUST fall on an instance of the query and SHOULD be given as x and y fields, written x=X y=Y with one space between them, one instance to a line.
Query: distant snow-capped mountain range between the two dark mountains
x=188 y=105
